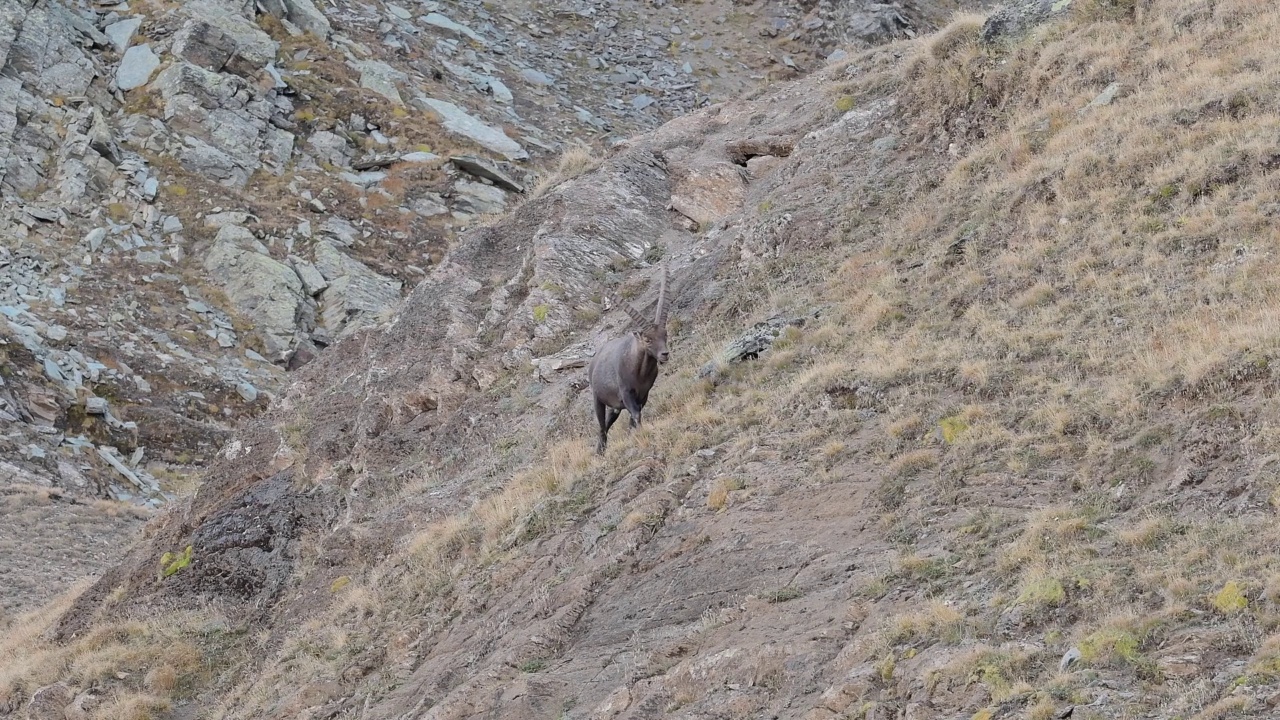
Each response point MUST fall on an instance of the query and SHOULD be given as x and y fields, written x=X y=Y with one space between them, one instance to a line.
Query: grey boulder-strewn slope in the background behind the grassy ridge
x=199 y=198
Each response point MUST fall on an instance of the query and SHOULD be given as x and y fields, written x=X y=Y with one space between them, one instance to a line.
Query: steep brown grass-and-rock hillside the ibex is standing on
x=1009 y=454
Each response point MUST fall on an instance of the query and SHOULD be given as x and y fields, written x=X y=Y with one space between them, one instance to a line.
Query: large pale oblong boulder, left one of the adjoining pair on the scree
x=263 y=290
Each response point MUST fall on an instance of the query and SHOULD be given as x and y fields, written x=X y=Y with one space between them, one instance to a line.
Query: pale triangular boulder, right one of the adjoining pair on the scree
x=356 y=295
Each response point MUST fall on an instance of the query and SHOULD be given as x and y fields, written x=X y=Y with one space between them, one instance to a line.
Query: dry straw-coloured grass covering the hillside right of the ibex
x=1077 y=282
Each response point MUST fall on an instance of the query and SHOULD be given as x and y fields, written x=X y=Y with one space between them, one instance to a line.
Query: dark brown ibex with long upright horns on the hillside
x=625 y=368
